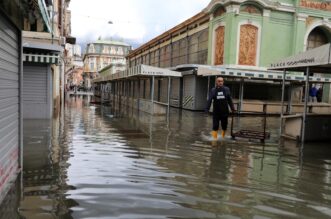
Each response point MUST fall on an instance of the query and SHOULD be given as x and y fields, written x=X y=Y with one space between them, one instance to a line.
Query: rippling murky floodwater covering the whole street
x=95 y=162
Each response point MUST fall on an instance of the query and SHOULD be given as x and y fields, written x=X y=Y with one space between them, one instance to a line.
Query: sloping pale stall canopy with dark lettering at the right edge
x=318 y=60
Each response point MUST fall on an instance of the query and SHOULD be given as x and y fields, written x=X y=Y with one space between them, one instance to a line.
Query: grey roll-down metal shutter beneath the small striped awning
x=36 y=92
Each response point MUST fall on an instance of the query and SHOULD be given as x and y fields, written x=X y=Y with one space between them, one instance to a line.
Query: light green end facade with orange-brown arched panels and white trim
x=253 y=34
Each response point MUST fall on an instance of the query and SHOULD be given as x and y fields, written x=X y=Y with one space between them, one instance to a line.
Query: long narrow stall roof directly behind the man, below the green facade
x=257 y=75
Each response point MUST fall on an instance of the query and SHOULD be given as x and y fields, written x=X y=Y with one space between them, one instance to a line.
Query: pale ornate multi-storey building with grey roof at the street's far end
x=101 y=54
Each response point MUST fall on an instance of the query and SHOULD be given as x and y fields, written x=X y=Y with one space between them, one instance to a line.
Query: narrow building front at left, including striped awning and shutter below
x=44 y=38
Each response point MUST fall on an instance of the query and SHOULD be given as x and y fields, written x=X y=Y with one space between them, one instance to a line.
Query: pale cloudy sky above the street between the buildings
x=133 y=21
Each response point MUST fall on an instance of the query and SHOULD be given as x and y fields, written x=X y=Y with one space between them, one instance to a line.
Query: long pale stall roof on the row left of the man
x=139 y=70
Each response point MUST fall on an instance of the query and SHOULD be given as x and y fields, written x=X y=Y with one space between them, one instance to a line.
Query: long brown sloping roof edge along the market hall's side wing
x=187 y=22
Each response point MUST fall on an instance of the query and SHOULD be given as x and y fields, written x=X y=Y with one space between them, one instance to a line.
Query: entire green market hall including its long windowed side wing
x=244 y=35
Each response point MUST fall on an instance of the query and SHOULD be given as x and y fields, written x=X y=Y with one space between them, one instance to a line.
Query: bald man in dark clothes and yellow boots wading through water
x=221 y=98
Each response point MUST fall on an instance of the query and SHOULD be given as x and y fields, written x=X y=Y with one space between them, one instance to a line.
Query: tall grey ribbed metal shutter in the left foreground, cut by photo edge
x=9 y=103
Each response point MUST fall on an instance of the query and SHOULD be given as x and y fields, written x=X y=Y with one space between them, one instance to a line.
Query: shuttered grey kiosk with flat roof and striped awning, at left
x=37 y=80
